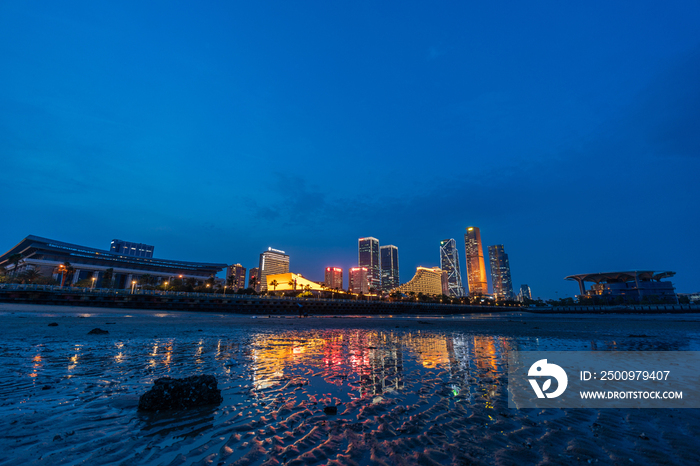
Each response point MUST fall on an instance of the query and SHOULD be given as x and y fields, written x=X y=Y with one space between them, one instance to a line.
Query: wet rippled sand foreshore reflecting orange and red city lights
x=408 y=390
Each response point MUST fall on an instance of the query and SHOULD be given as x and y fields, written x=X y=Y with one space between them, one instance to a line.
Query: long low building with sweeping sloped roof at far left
x=47 y=256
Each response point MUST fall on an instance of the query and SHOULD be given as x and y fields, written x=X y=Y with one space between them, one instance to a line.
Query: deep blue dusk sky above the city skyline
x=570 y=133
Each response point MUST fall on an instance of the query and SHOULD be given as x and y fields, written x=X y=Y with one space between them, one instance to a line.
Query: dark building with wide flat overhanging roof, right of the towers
x=628 y=287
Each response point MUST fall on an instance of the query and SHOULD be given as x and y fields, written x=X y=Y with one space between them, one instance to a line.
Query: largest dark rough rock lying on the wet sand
x=167 y=393
